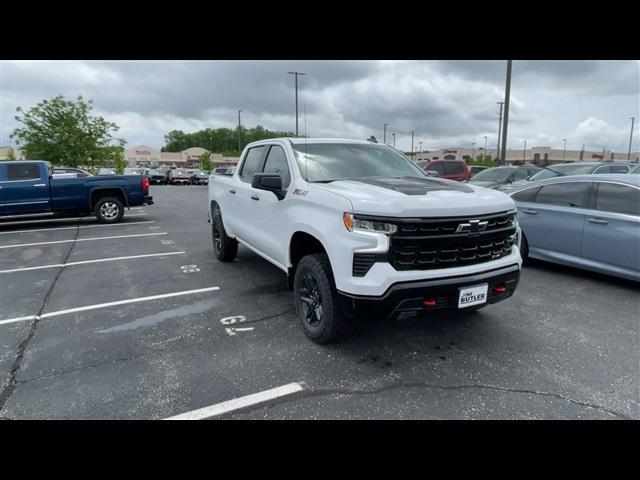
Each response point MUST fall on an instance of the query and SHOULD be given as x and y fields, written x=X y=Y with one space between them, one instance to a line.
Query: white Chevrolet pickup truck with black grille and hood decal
x=358 y=228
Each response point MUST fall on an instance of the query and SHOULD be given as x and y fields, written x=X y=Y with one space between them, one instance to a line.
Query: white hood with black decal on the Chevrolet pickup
x=418 y=197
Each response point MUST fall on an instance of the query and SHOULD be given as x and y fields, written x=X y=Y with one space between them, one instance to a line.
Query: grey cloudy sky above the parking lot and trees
x=446 y=103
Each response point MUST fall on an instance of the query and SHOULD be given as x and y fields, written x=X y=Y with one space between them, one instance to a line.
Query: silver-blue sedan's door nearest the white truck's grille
x=553 y=222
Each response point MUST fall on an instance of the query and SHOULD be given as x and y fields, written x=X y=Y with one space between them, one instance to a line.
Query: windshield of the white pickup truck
x=327 y=162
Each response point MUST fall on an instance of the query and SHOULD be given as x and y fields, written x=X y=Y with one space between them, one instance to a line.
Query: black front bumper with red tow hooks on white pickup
x=406 y=299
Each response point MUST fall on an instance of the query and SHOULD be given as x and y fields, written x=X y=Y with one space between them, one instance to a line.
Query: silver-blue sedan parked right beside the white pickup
x=584 y=221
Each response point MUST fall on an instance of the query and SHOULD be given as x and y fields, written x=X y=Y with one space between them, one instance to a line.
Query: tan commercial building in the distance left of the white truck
x=144 y=156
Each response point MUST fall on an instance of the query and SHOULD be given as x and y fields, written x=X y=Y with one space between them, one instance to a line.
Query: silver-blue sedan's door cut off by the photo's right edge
x=612 y=228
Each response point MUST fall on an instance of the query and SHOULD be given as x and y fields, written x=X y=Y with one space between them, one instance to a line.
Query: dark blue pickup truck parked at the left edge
x=28 y=188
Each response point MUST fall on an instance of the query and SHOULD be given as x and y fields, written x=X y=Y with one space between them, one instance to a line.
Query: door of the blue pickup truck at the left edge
x=25 y=189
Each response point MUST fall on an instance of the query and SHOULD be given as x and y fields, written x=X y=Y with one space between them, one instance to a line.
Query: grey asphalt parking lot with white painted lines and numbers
x=138 y=320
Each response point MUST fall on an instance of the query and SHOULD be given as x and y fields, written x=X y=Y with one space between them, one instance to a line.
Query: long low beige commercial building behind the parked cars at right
x=535 y=155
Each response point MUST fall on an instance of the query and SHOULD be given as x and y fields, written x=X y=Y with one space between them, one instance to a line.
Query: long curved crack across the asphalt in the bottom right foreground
x=345 y=391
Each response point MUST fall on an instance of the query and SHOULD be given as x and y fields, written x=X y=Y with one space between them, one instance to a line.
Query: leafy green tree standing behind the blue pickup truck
x=64 y=132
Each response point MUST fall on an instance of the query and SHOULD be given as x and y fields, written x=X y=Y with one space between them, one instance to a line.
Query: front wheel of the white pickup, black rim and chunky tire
x=316 y=300
